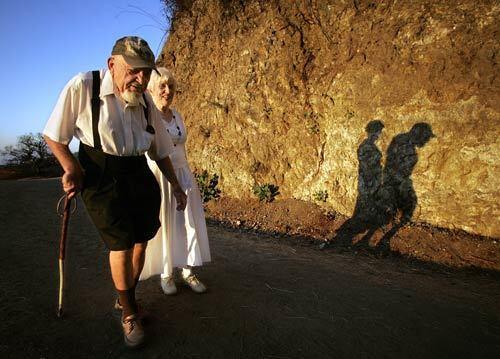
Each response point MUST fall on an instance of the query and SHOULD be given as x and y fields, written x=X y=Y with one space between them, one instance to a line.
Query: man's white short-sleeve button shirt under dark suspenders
x=122 y=128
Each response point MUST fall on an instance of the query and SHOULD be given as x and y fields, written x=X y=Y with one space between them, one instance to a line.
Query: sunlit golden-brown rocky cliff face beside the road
x=389 y=107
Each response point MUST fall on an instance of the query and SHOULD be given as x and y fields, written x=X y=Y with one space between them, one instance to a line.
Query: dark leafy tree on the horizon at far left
x=30 y=151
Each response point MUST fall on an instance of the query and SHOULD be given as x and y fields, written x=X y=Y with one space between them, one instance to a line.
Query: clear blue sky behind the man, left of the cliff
x=46 y=43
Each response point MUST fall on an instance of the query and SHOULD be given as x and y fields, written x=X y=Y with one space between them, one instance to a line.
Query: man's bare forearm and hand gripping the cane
x=72 y=179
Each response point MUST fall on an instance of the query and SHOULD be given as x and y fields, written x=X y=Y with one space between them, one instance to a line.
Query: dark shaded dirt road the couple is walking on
x=268 y=298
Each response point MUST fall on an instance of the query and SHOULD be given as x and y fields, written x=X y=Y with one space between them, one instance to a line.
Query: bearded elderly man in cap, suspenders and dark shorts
x=116 y=123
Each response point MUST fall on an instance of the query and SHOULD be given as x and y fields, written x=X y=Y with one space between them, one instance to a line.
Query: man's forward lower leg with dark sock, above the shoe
x=123 y=277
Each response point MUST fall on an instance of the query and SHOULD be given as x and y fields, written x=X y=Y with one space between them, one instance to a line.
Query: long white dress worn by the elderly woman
x=182 y=239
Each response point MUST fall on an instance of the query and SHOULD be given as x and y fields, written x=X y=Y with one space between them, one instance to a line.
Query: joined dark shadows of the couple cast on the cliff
x=386 y=197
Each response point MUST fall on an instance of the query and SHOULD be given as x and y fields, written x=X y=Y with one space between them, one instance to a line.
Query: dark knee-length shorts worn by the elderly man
x=122 y=198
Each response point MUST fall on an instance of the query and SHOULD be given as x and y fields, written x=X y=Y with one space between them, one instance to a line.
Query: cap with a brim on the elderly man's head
x=135 y=51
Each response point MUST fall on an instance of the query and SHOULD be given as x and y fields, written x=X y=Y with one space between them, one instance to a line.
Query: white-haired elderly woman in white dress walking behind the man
x=182 y=240
